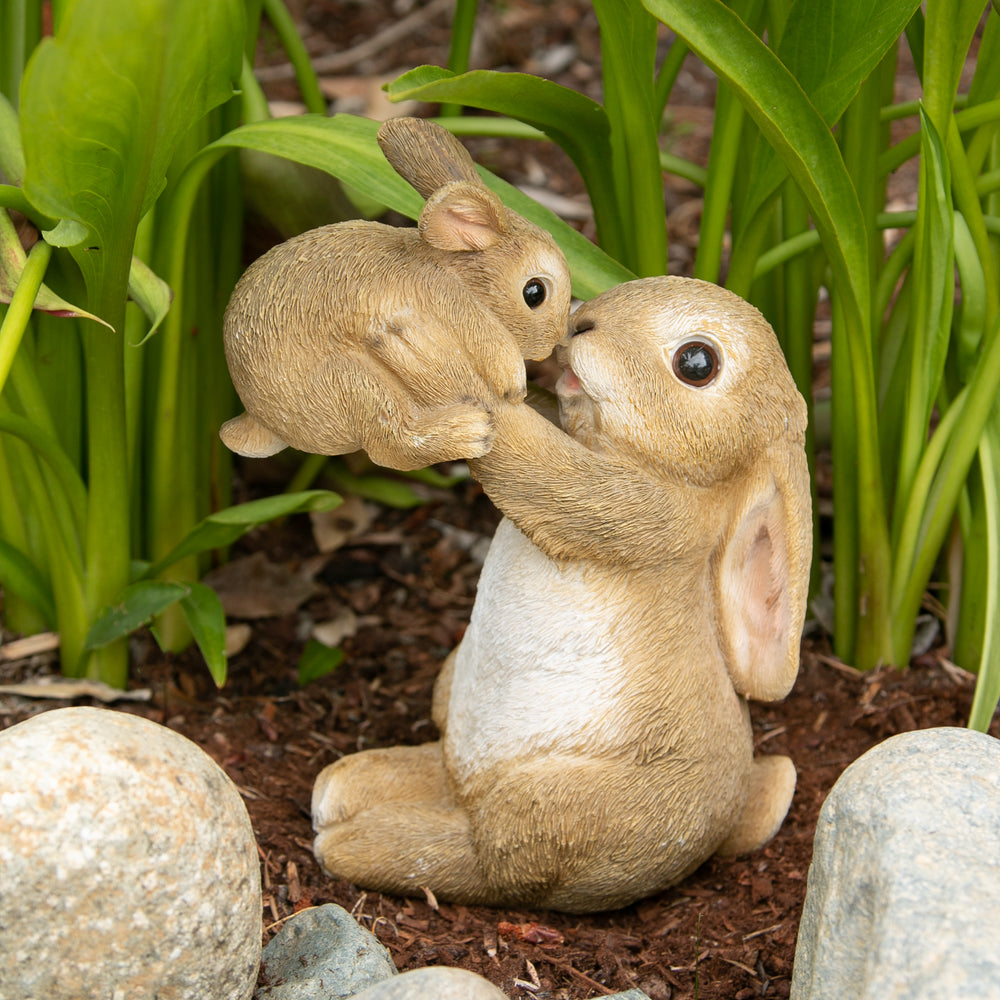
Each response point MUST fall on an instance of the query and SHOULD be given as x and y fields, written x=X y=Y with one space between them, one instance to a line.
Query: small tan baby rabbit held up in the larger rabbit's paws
x=340 y=339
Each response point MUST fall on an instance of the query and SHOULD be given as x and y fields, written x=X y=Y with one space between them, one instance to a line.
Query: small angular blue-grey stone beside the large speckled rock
x=322 y=954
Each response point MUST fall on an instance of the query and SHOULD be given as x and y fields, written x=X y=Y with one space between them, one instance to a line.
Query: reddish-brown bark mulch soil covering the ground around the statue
x=727 y=932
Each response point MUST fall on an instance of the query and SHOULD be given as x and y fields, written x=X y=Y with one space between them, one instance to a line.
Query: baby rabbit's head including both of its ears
x=513 y=267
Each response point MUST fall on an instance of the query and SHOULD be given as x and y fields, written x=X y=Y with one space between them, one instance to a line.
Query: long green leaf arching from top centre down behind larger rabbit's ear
x=803 y=140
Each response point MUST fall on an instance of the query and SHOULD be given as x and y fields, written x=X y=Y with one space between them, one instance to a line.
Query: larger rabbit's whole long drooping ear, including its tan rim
x=763 y=579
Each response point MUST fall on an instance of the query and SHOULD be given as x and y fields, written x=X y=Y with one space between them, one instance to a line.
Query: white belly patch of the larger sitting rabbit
x=538 y=667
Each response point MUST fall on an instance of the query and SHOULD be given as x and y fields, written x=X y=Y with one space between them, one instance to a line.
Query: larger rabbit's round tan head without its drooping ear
x=681 y=376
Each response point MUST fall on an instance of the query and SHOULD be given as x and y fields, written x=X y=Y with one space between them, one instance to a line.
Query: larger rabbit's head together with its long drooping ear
x=687 y=381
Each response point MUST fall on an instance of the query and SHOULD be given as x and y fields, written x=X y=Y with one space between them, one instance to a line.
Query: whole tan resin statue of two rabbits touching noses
x=650 y=574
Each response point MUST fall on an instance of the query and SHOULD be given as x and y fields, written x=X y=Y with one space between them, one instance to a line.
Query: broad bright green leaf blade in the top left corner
x=105 y=102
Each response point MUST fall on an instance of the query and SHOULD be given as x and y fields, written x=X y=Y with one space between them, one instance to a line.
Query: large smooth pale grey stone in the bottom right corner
x=903 y=896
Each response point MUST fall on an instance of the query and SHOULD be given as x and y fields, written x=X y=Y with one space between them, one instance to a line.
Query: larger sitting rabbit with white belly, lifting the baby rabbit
x=650 y=575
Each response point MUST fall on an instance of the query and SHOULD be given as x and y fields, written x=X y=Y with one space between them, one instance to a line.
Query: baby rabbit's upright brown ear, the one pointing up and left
x=425 y=155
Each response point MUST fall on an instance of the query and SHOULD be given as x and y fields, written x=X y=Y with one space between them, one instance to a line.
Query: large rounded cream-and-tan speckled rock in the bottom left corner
x=129 y=864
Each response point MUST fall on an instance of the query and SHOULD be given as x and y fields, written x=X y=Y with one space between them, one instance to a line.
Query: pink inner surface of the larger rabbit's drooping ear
x=760 y=635
